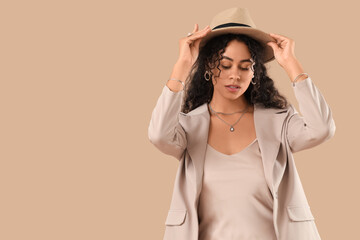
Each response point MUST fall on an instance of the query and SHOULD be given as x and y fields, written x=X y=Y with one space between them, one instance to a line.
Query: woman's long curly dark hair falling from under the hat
x=198 y=91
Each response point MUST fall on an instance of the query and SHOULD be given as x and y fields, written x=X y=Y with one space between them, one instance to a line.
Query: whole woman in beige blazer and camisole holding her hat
x=234 y=135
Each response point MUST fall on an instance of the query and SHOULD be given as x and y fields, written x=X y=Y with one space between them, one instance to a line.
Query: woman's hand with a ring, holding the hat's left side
x=189 y=46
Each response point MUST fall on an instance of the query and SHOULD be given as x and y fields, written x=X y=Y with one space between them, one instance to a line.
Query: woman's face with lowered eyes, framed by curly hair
x=236 y=69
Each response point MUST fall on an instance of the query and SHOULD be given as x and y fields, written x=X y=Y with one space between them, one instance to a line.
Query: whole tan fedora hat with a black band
x=238 y=20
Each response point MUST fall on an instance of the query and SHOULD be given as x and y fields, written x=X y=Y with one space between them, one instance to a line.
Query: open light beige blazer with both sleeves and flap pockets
x=279 y=132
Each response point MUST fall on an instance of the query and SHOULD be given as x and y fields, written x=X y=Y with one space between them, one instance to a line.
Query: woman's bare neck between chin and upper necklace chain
x=228 y=105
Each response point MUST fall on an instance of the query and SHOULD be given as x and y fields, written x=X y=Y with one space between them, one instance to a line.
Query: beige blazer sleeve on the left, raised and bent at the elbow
x=165 y=131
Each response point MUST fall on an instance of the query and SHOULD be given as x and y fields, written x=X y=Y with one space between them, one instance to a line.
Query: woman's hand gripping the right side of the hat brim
x=283 y=49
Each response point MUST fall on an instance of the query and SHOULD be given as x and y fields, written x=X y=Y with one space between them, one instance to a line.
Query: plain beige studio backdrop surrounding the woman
x=79 y=80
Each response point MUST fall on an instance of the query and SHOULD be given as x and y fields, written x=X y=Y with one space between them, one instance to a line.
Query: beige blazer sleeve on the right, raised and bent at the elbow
x=316 y=125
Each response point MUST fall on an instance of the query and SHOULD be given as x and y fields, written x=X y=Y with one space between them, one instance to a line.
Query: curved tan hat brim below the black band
x=254 y=33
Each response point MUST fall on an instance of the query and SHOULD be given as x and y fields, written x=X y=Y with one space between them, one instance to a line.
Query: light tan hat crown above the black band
x=233 y=15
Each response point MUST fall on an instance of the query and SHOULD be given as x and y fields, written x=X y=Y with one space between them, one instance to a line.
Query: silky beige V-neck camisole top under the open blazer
x=235 y=202
